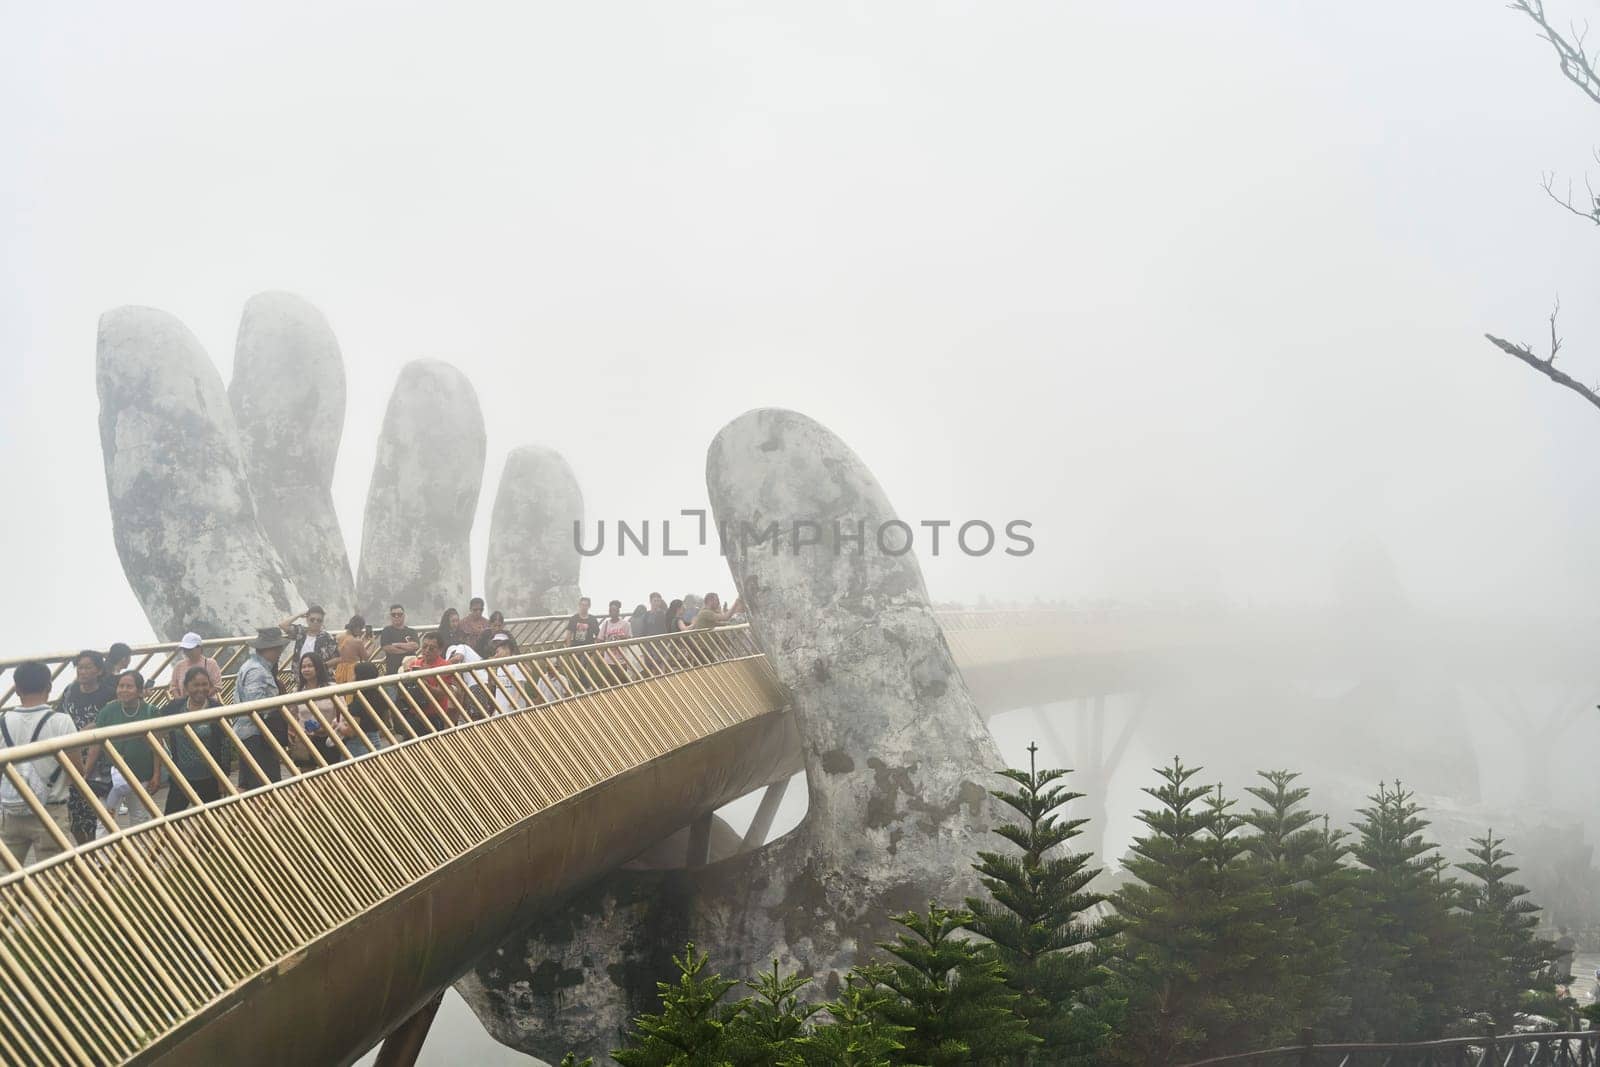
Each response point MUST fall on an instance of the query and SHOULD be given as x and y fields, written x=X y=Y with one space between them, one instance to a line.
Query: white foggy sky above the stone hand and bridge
x=1196 y=289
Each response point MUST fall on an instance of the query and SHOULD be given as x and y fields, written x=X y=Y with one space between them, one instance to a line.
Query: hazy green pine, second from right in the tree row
x=1406 y=981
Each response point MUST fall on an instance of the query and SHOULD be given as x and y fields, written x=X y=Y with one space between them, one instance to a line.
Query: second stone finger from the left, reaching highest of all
x=289 y=406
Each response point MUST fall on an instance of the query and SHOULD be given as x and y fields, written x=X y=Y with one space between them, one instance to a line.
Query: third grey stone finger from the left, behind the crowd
x=423 y=497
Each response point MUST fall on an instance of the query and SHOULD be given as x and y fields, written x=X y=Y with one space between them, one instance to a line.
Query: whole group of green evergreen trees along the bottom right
x=1236 y=932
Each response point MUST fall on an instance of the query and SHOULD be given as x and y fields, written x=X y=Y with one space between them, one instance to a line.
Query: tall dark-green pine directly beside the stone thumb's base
x=1036 y=919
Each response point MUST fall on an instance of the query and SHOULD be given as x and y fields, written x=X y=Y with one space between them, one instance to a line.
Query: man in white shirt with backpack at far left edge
x=34 y=721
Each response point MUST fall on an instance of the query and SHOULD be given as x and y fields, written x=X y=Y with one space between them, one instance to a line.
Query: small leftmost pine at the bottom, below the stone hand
x=692 y=1028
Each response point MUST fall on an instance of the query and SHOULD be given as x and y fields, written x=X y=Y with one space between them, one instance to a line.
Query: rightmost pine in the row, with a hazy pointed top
x=1511 y=970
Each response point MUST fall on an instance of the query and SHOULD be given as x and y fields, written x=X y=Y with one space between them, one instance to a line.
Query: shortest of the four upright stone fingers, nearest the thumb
x=532 y=562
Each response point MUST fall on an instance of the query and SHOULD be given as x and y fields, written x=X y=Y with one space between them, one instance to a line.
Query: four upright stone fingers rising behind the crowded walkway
x=222 y=502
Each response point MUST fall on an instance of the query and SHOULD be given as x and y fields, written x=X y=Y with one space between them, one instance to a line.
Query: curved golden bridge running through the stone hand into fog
x=316 y=916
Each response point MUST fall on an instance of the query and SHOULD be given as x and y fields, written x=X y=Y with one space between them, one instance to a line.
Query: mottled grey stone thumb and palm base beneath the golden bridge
x=897 y=759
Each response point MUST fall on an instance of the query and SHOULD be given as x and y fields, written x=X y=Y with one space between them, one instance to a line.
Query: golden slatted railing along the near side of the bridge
x=111 y=946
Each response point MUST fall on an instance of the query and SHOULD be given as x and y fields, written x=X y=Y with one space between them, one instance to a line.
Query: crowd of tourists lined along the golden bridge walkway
x=105 y=692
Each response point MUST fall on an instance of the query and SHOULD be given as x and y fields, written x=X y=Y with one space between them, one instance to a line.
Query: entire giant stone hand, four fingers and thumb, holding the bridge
x=223 y=519
